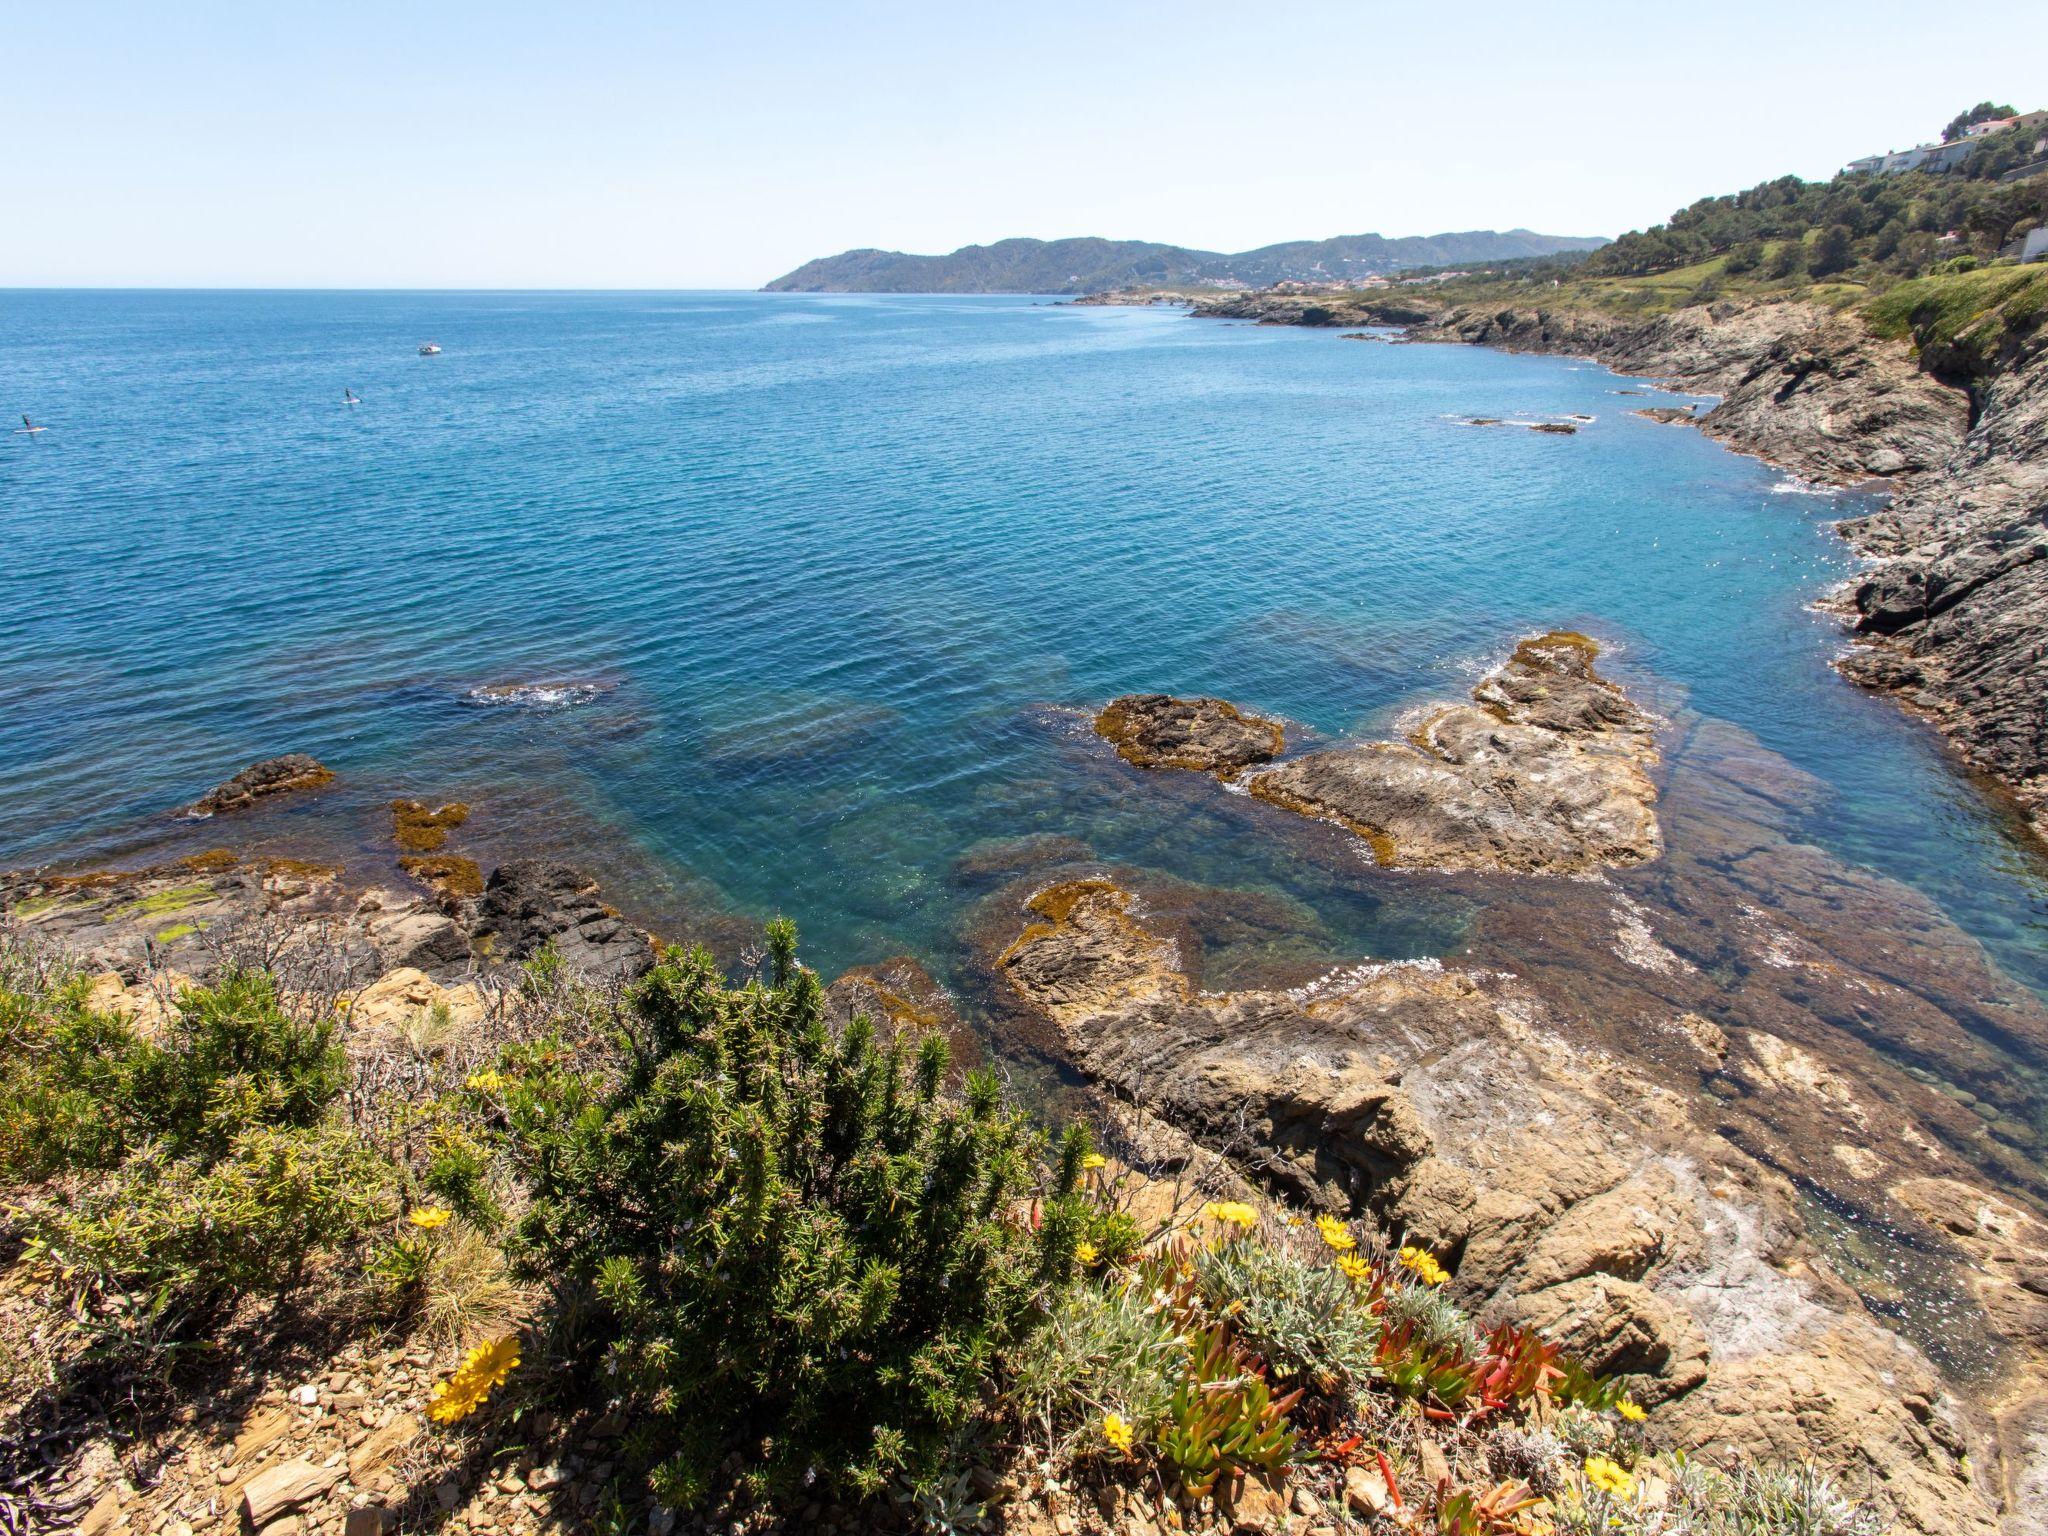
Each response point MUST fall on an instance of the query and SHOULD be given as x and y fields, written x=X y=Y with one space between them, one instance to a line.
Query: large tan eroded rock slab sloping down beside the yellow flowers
x=1562 y=1185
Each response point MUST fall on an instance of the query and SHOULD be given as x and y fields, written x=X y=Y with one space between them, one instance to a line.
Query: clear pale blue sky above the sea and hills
x=683 y=144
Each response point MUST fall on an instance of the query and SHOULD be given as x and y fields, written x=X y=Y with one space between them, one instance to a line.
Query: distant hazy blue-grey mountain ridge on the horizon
x=1097 y=265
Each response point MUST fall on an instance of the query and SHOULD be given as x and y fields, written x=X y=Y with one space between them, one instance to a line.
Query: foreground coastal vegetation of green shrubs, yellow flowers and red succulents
x=796 y=1263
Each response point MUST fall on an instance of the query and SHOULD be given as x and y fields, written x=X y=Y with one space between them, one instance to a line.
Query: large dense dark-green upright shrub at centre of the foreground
x=804 y=1248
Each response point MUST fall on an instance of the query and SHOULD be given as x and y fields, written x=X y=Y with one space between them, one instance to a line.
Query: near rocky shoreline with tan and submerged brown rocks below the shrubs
x=1615 y=1115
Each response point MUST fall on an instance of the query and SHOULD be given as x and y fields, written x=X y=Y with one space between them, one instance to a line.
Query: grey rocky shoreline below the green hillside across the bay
x=1953 y=620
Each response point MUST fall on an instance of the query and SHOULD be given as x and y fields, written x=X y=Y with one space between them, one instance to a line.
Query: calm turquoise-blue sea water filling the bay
x=839 y=568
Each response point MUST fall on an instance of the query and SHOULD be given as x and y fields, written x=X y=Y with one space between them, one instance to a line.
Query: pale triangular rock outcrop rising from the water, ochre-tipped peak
x=1545 y=773
